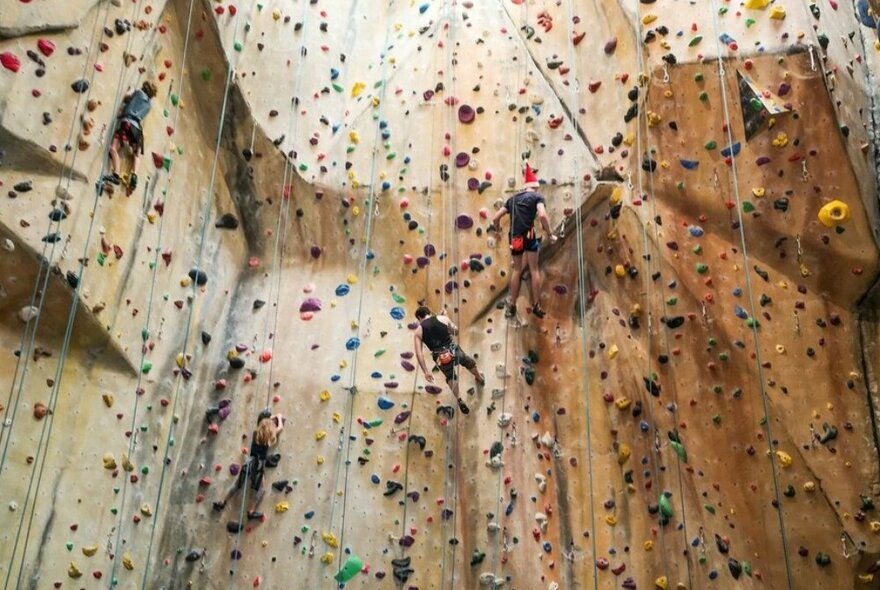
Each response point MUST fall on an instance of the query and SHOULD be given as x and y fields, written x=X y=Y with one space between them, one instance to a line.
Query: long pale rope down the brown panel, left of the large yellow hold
x=751 y=300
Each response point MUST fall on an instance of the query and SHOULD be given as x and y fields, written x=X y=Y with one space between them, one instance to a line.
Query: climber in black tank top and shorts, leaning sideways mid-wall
x=436 y=333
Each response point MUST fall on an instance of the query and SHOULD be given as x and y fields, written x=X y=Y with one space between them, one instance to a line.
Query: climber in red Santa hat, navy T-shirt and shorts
x=523 y=208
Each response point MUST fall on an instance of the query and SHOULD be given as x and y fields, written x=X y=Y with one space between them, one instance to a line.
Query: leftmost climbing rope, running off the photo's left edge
x=29 y=333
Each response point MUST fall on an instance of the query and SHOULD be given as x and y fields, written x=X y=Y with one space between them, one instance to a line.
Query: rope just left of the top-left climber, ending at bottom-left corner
x=48 y=423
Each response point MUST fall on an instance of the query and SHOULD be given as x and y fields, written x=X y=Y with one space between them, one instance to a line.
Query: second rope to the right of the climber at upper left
x=169 y=440
